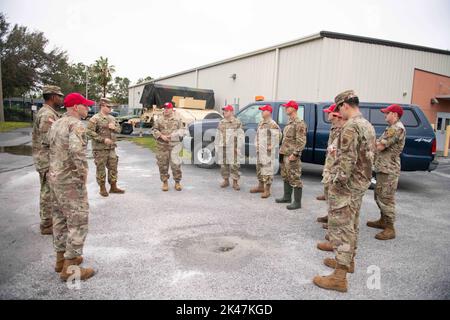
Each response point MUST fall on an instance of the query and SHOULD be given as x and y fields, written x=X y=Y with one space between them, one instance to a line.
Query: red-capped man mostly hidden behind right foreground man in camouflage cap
x=336 y=125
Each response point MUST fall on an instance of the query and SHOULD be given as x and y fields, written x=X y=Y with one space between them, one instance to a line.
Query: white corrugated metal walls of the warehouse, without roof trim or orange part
x=316 y=71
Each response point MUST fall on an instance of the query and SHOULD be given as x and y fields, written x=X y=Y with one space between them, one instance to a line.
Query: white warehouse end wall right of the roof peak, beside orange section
x=376 y=72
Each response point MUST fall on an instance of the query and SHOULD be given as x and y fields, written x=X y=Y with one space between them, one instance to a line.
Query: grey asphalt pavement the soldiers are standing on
x=208 y=243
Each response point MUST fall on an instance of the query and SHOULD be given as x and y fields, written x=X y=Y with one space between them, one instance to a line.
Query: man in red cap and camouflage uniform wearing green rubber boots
x=292 y=145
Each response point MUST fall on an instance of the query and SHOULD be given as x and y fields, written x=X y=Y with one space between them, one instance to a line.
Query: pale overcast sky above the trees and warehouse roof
x=157 y=38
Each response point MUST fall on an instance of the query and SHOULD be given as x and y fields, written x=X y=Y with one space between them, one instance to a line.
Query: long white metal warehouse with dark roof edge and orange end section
x=317 y=67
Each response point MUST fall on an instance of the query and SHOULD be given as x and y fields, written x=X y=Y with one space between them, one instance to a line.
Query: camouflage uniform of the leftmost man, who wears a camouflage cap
x=45 y=117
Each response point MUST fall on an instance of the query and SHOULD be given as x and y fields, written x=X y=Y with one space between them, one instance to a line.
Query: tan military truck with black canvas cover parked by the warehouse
x=191 y=104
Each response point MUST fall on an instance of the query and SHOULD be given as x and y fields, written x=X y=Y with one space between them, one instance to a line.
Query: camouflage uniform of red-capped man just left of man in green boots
x=268 y=135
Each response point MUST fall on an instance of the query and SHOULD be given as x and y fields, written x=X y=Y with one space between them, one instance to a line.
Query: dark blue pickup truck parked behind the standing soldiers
x=418 y=154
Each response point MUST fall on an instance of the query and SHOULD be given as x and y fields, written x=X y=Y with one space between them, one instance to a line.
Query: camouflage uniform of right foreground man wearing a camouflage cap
x=351 y=174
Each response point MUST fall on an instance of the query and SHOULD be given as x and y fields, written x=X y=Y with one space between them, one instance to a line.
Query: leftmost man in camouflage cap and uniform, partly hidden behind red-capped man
x=43 y=121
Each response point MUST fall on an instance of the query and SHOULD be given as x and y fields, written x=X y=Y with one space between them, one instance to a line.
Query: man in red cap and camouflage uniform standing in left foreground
x=67 y=175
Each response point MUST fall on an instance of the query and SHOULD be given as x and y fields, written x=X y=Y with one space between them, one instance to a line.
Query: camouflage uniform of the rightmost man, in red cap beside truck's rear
x=387 y=168
